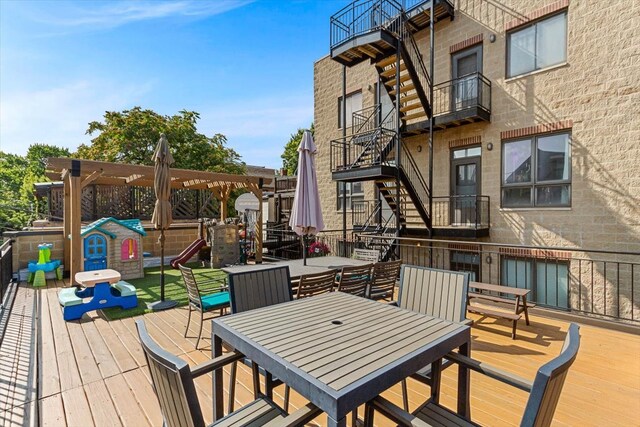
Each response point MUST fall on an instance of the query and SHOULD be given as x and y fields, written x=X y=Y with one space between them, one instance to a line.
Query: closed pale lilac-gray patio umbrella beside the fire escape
x=306 y=213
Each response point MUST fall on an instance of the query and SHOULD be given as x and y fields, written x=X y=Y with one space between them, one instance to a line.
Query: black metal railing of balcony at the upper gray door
x=472 y=90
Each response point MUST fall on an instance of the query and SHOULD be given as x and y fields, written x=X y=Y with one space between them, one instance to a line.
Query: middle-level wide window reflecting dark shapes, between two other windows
x=537 y=171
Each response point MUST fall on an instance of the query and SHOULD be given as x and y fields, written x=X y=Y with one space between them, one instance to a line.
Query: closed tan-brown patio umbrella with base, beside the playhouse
x=162 y=212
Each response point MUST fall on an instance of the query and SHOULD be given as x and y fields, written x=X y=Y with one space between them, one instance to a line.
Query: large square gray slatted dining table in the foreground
x=339 y=350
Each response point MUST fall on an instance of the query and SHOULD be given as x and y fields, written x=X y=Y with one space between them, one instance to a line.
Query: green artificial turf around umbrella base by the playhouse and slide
x=148 y=289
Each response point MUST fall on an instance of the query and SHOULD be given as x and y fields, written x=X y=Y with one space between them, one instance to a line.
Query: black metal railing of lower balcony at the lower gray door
x=461 y=211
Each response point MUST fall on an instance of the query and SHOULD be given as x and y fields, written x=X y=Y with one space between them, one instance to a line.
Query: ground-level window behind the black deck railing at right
x=547 y=279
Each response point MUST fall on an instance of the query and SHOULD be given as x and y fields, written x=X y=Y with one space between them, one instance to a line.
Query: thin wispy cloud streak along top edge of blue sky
x=93 y=15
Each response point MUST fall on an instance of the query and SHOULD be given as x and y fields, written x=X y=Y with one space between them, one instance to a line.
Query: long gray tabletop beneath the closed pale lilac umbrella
x=297 y=267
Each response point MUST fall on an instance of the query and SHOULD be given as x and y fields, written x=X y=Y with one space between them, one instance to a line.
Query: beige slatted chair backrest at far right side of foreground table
x=438 y=293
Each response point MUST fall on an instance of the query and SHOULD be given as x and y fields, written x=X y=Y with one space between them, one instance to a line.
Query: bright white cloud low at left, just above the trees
x=60 y=115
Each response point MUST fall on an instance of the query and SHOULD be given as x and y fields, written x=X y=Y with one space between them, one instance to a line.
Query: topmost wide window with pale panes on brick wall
x=537 y=46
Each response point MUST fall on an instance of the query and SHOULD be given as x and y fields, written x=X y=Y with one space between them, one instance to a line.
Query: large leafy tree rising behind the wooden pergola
x=130 y=136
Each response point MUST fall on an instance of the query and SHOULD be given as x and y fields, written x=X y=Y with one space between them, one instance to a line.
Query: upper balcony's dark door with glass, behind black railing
x=465 y=65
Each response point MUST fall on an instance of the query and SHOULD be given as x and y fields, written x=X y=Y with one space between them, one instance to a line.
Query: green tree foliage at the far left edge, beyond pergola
x=18 y=204
